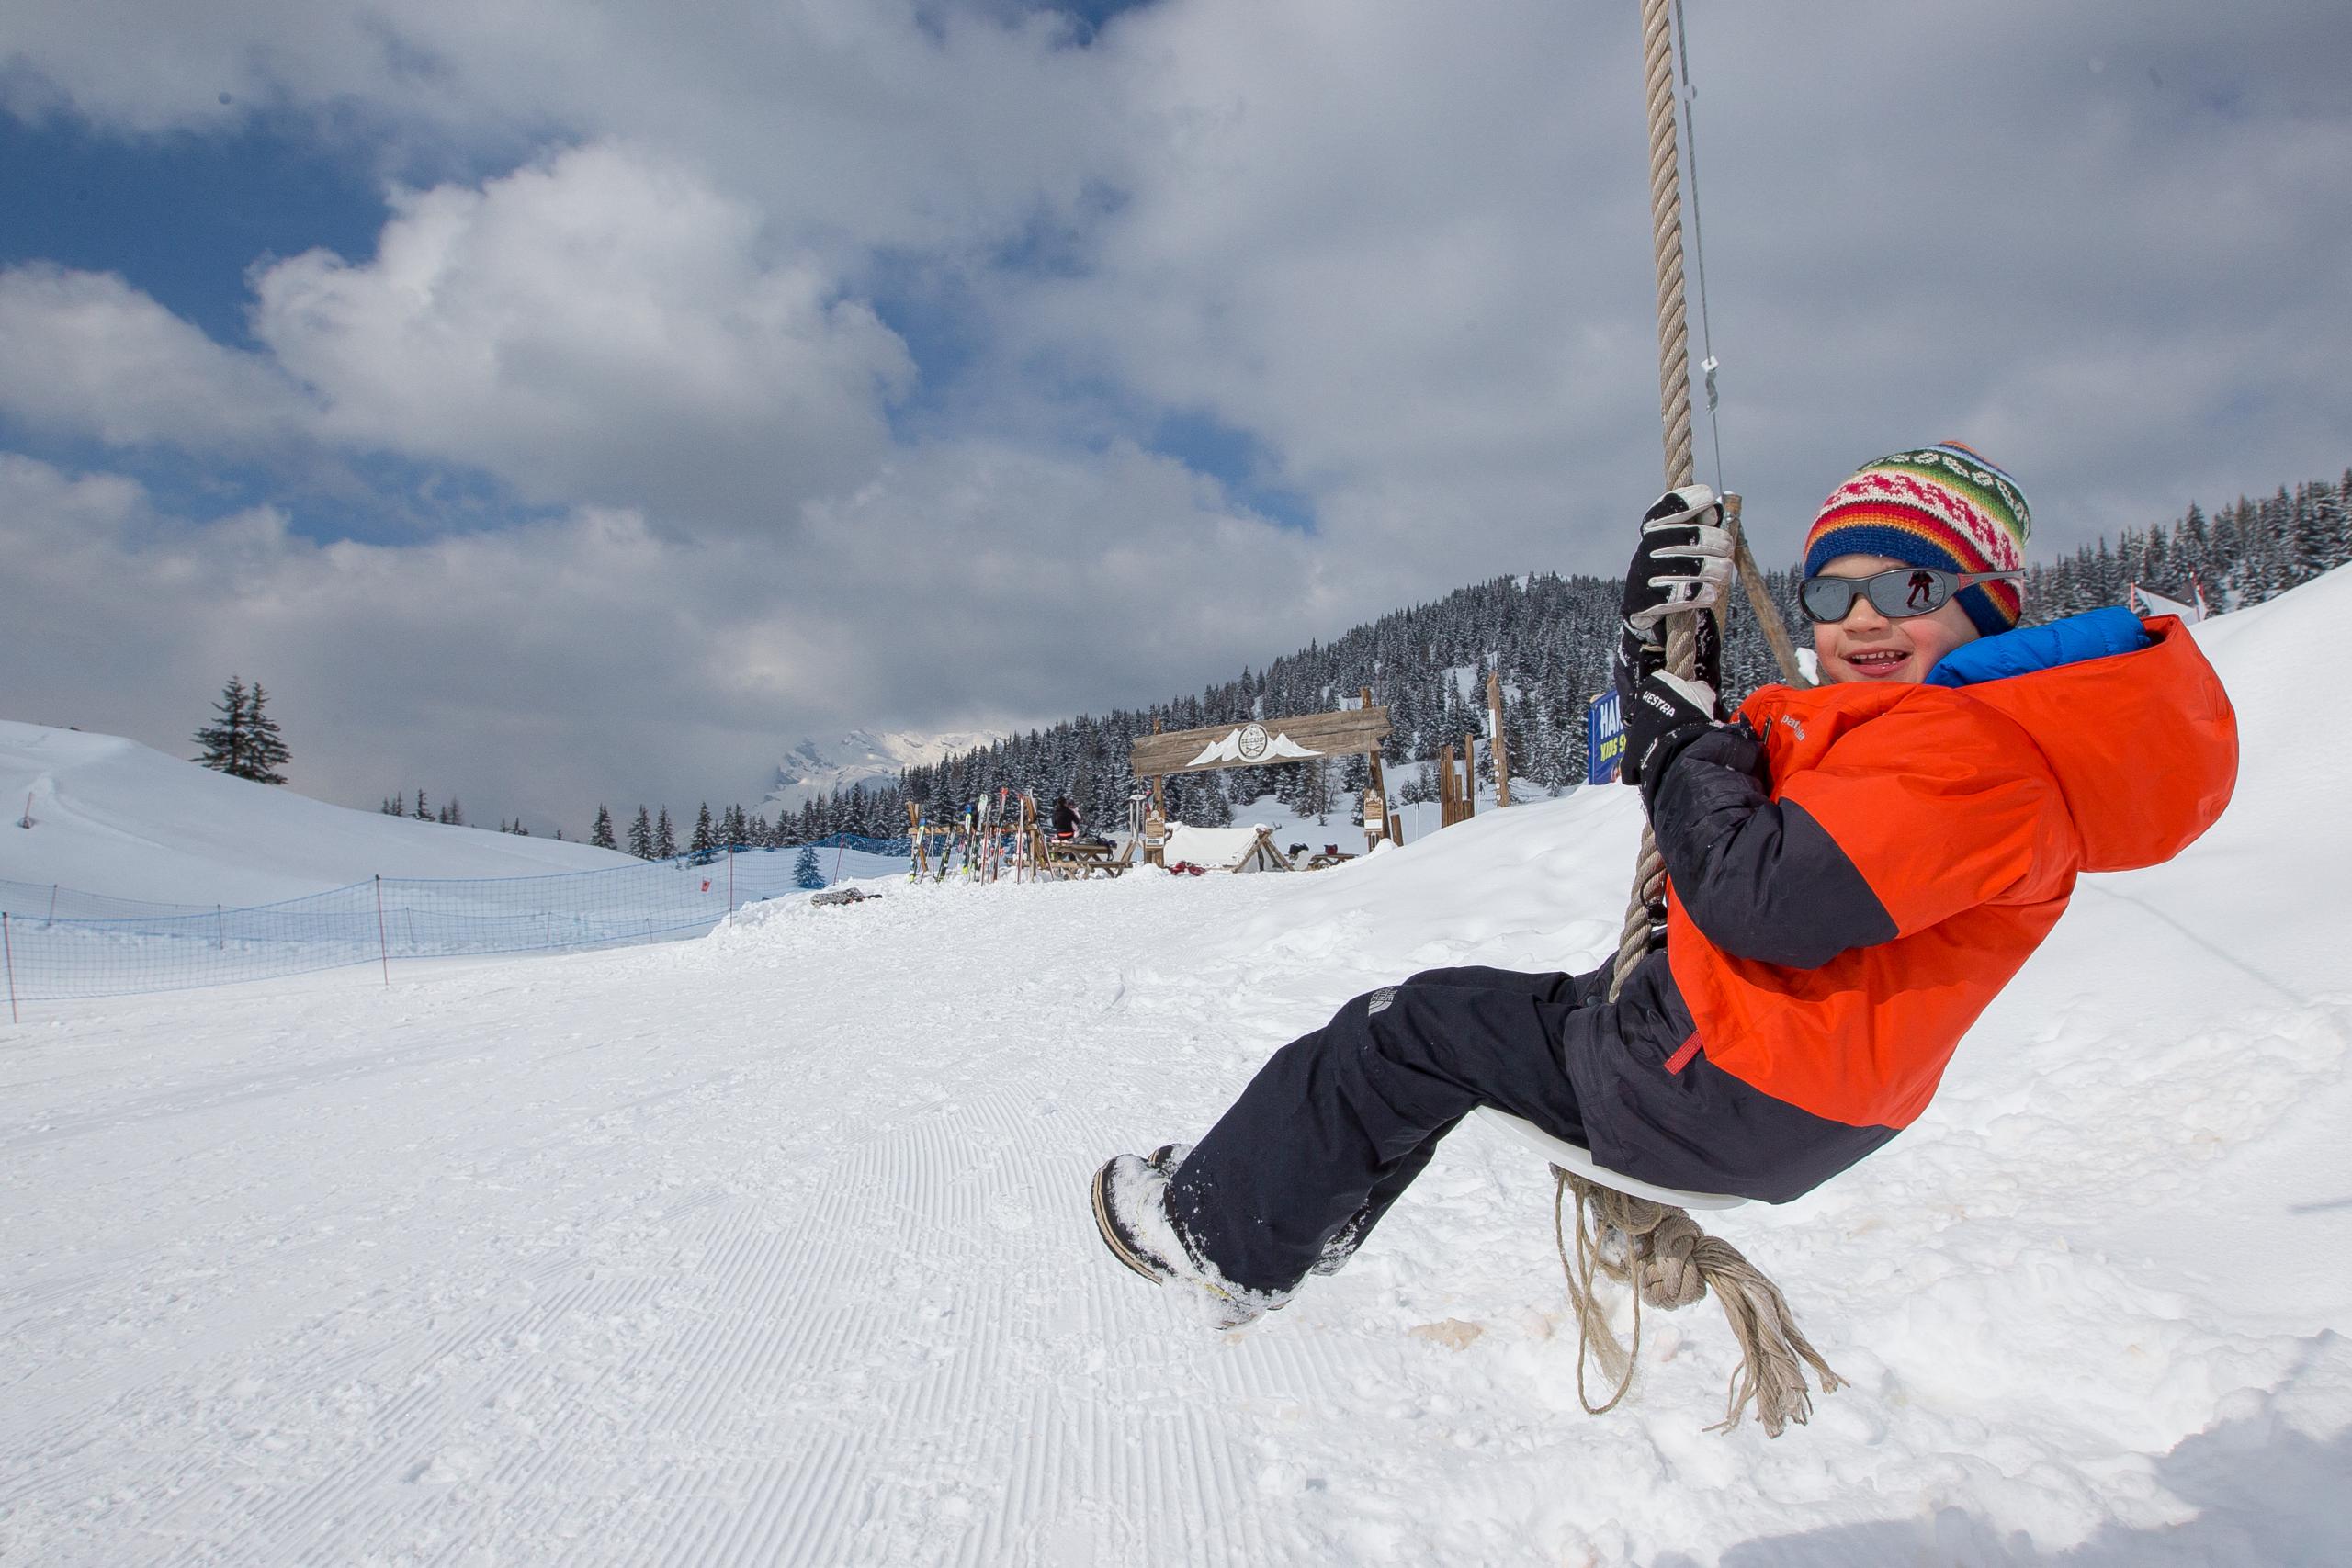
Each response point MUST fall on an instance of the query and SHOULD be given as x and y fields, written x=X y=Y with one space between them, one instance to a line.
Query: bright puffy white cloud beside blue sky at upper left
x=594 y=330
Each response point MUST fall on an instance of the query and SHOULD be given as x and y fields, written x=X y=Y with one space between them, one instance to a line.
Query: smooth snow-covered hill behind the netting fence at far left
x=121 y=819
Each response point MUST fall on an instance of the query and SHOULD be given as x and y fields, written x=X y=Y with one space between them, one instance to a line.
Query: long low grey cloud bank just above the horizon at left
x=594 y=657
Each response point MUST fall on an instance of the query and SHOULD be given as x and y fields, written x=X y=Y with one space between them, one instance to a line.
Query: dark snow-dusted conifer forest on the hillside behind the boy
x=1551 y=641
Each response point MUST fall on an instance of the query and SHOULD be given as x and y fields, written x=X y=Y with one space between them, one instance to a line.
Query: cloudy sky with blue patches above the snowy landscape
x=566 y=406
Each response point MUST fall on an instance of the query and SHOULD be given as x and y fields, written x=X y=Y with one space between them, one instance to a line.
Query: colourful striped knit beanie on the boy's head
x=1932 y=507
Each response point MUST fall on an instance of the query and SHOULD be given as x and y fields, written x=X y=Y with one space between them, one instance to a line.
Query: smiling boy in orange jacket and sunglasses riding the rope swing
x=1855 y=873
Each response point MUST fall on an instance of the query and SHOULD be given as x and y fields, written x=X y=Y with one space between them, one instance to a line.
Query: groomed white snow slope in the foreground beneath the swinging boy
x=775 y=1249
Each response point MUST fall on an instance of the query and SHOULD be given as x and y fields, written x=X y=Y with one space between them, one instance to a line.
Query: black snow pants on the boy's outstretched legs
x=1339 y=1123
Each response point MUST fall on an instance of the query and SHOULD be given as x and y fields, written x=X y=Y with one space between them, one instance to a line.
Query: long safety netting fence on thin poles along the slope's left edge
x=62 y=944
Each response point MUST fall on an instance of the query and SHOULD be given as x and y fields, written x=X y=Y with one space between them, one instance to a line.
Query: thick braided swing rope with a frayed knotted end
x=1655 y=1247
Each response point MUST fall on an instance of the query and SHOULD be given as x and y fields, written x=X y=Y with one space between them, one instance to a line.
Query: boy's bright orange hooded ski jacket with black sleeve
x=1923 y=840
